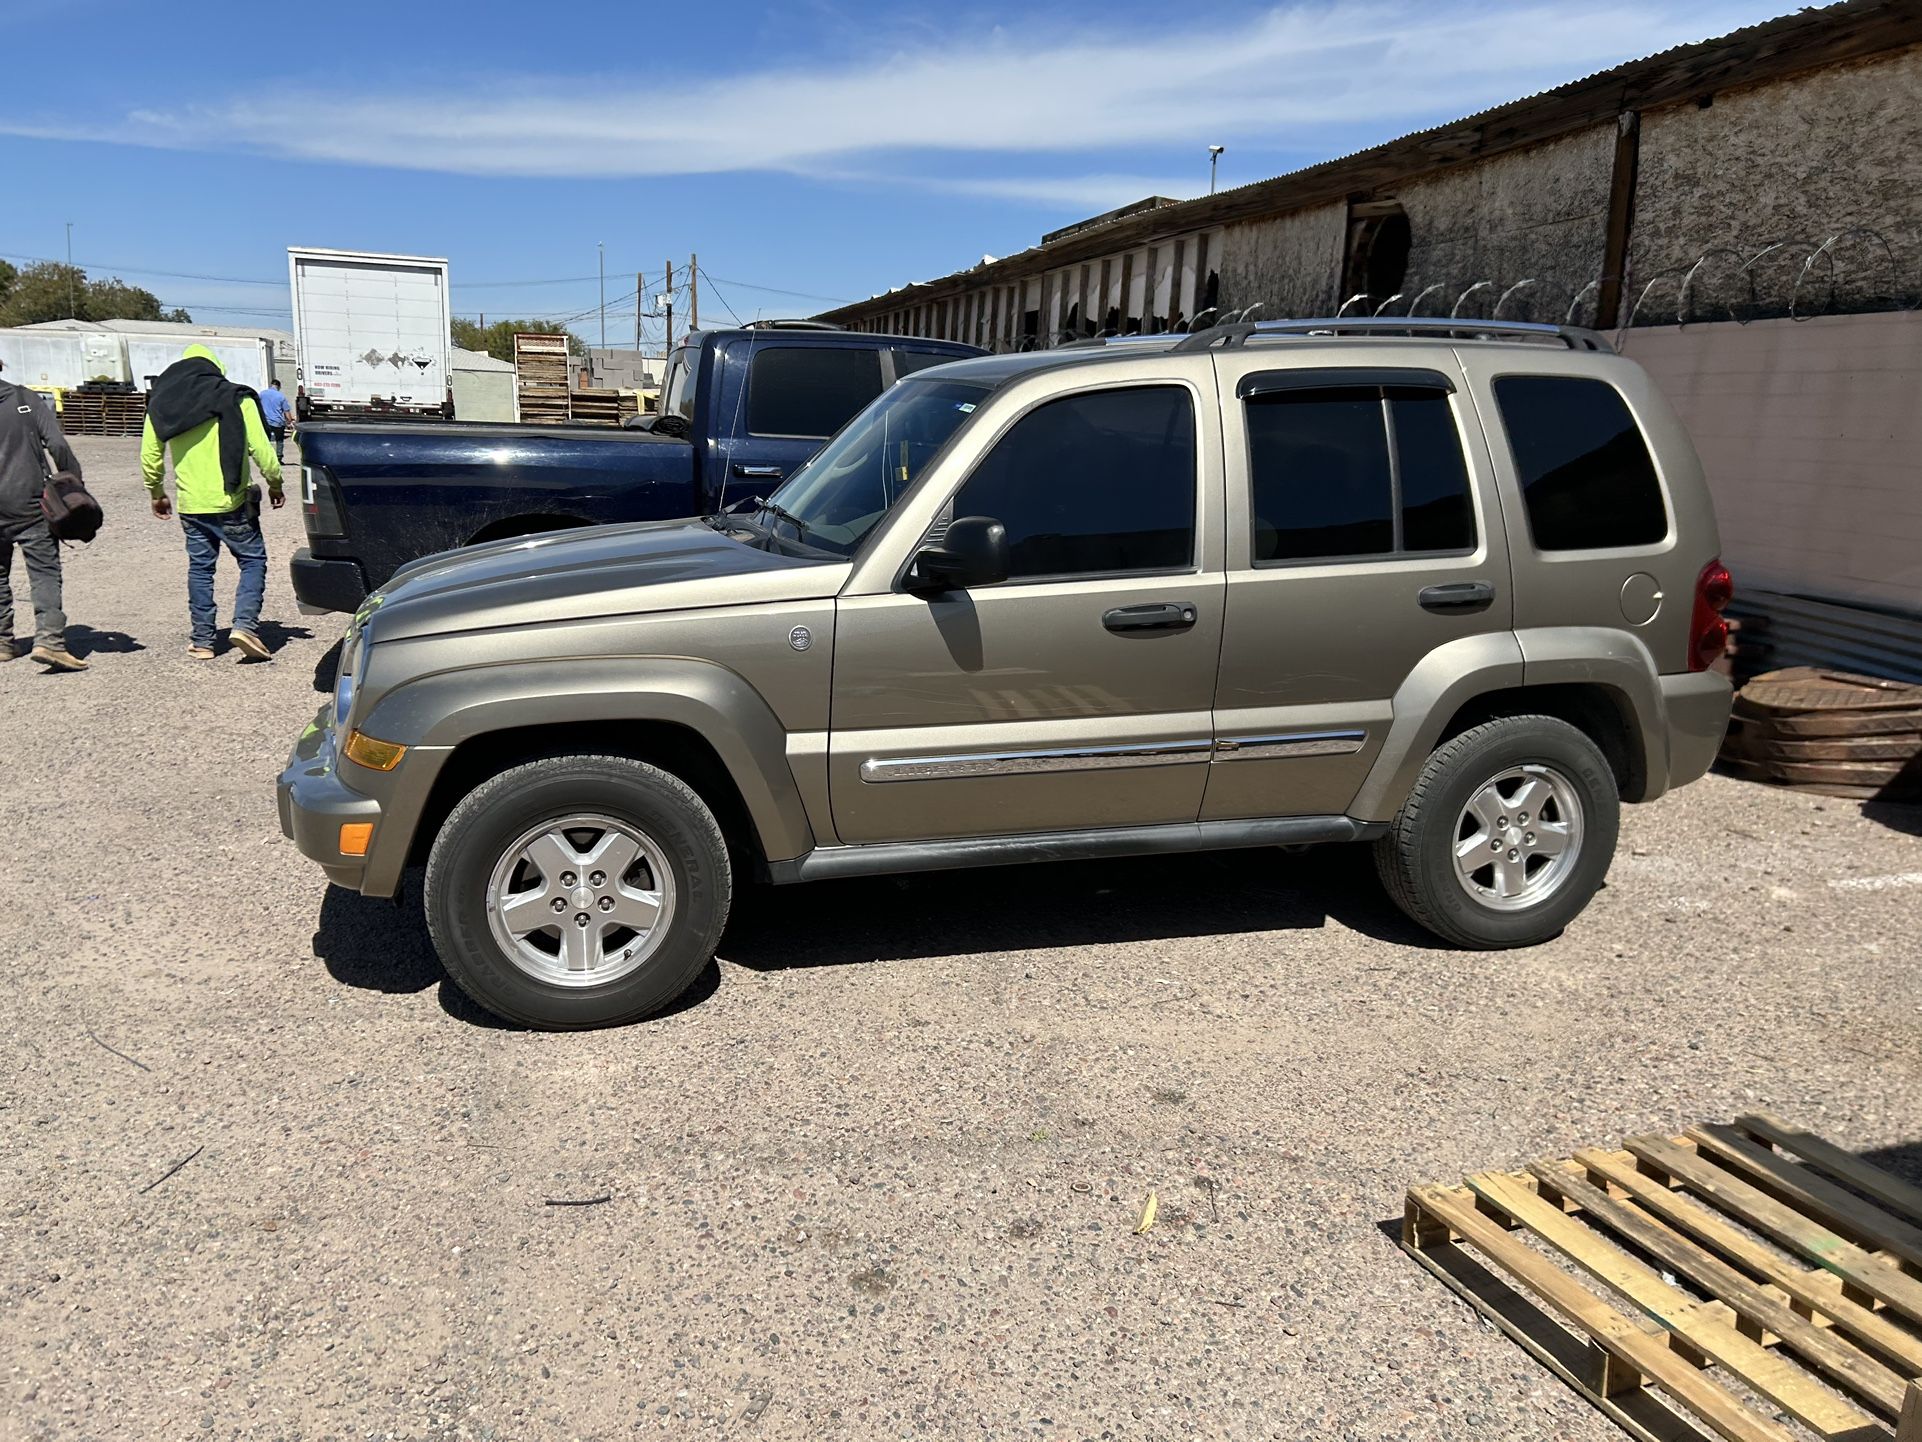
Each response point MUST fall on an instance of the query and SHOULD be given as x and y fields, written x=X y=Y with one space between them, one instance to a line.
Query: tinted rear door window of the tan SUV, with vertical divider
x=1327 y=466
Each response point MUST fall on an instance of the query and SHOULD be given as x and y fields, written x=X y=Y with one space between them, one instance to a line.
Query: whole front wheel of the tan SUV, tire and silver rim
x=518 y=837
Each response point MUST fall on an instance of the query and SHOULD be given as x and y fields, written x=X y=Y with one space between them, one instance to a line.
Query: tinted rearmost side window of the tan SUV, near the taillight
x=1587 y=474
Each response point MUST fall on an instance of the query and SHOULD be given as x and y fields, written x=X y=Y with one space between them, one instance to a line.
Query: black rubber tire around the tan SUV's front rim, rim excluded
x=491 y=818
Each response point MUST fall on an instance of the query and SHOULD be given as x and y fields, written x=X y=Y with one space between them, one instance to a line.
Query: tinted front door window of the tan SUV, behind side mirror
x=1102 y=482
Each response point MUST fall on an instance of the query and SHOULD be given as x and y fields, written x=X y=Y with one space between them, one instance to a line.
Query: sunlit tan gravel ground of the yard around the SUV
x=879 y=1176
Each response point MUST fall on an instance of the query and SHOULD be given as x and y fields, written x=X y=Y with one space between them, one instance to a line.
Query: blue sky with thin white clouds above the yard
x=825 y=149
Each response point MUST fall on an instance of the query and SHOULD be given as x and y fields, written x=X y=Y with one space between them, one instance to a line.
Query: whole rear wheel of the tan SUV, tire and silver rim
x=1500 y=907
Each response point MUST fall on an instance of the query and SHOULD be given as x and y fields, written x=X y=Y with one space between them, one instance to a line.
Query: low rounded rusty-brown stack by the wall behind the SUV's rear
x=1829 y=732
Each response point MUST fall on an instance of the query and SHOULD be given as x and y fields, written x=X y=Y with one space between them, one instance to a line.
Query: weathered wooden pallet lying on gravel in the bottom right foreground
x=1706 y=1285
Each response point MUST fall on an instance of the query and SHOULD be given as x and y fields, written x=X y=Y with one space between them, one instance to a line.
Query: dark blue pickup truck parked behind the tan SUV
x=739 y=410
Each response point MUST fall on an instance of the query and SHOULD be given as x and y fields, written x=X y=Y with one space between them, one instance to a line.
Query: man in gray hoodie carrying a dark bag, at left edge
x=28 y=430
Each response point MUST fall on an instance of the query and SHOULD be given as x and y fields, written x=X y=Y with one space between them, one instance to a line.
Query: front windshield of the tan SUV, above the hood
x=852 y=482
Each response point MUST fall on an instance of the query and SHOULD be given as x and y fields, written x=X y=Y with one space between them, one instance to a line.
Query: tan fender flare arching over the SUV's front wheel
x=447 y=709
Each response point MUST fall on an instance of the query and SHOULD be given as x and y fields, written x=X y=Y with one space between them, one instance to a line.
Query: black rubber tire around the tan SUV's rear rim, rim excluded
x=1548 y=743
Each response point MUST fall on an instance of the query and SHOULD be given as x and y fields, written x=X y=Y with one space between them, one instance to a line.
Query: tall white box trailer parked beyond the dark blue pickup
x=372 y=332
